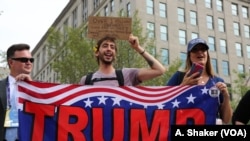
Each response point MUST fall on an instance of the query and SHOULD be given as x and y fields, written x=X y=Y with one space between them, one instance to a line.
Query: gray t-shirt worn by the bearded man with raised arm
x=129 y=75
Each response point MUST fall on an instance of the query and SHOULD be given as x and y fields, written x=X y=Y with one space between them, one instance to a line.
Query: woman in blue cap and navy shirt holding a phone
x=197 y=52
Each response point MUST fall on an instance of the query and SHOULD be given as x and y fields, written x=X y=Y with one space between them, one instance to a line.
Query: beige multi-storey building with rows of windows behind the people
x=224 y=24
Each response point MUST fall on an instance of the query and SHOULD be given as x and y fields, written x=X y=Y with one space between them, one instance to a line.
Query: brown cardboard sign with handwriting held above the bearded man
x=117 y=27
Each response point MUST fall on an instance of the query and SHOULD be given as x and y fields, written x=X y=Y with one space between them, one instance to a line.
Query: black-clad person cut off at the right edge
x=241 y=115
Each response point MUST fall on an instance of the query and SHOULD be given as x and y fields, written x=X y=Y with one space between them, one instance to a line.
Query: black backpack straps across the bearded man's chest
x=119 y=78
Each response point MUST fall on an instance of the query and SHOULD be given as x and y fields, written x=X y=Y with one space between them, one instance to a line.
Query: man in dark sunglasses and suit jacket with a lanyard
x=20 y=63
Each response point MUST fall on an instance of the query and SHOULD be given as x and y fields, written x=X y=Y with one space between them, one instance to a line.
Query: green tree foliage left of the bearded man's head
x=73 y=56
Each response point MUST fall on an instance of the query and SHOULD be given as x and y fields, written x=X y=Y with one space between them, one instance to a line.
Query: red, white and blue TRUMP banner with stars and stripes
x=70 y=112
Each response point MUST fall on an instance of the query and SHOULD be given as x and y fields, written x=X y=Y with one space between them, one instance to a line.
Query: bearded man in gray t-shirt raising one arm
x=105 y=54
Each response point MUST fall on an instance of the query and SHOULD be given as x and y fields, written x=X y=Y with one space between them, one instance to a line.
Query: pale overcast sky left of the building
x=26 y=21
